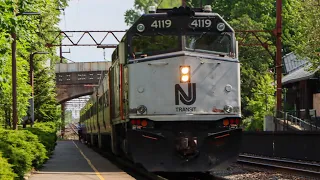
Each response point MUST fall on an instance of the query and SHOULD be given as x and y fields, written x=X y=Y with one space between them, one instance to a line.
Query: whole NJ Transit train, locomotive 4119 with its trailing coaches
x=171 y=99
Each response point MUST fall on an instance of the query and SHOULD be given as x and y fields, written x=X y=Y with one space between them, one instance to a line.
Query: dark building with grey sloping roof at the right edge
x=301 y=87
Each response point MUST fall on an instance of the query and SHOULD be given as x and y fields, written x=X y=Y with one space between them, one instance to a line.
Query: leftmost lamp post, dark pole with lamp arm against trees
x=14 y=72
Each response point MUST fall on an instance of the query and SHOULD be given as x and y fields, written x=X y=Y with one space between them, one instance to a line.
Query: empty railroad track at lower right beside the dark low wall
x=283 y=165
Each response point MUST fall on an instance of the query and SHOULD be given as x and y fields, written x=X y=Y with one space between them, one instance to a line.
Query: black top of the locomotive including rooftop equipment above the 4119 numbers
x=179 y=22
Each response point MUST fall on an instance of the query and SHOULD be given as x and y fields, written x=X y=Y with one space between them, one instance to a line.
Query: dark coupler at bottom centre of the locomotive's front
x=186 y=146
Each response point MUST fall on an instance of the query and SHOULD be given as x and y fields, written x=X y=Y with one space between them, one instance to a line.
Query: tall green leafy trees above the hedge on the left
x=32 y=35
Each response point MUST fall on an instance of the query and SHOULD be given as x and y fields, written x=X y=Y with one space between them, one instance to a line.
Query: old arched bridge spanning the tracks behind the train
x=74 y=80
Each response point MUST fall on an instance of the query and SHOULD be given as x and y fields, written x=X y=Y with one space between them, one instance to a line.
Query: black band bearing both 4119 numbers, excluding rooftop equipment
x=178 y=24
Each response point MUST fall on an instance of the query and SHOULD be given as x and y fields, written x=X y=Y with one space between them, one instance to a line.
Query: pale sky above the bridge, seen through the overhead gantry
x=93 y=15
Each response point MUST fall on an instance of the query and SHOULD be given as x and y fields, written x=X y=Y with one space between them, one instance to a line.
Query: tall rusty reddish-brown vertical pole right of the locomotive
x=279 y=54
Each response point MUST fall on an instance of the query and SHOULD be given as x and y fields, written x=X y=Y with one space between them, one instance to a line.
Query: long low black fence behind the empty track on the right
x=298 y=145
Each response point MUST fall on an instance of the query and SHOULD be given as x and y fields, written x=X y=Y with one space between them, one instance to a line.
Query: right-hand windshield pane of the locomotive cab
x=217 y=43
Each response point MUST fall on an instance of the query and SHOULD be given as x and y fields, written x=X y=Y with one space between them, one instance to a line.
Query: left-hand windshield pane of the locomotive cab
x=149 y=45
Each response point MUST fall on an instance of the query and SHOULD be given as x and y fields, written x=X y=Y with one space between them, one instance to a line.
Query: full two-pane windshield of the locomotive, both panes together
x=208 y=42
